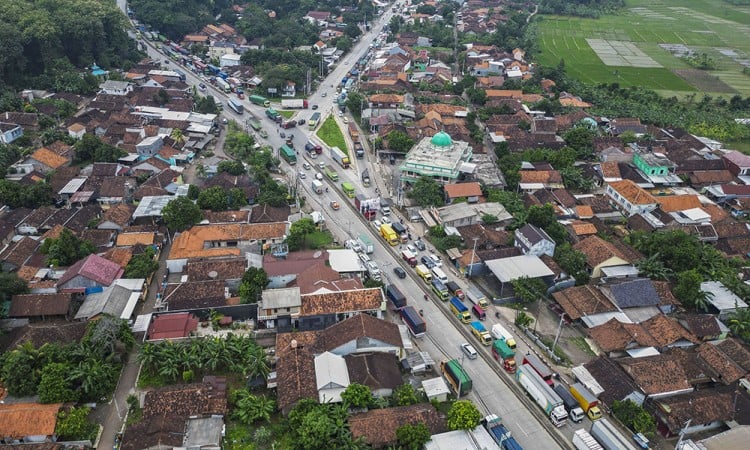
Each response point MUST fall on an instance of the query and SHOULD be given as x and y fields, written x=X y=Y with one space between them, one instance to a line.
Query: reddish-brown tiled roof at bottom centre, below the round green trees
x=378 y=426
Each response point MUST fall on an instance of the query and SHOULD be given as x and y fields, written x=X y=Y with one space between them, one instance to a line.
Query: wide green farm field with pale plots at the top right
x=640 y=46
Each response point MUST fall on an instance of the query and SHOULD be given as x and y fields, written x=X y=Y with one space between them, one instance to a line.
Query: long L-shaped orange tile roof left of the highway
x=191 y=243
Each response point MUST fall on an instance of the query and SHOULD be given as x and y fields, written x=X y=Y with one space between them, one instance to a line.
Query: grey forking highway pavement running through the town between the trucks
x=491 y=391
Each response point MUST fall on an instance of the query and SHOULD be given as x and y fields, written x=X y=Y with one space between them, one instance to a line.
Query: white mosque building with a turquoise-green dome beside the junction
x=439 y=158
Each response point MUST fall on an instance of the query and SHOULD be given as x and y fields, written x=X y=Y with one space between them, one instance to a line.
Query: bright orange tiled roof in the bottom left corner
x=28 y=419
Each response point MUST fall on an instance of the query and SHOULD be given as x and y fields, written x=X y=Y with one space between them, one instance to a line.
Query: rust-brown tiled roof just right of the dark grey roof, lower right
x=656 y=374
